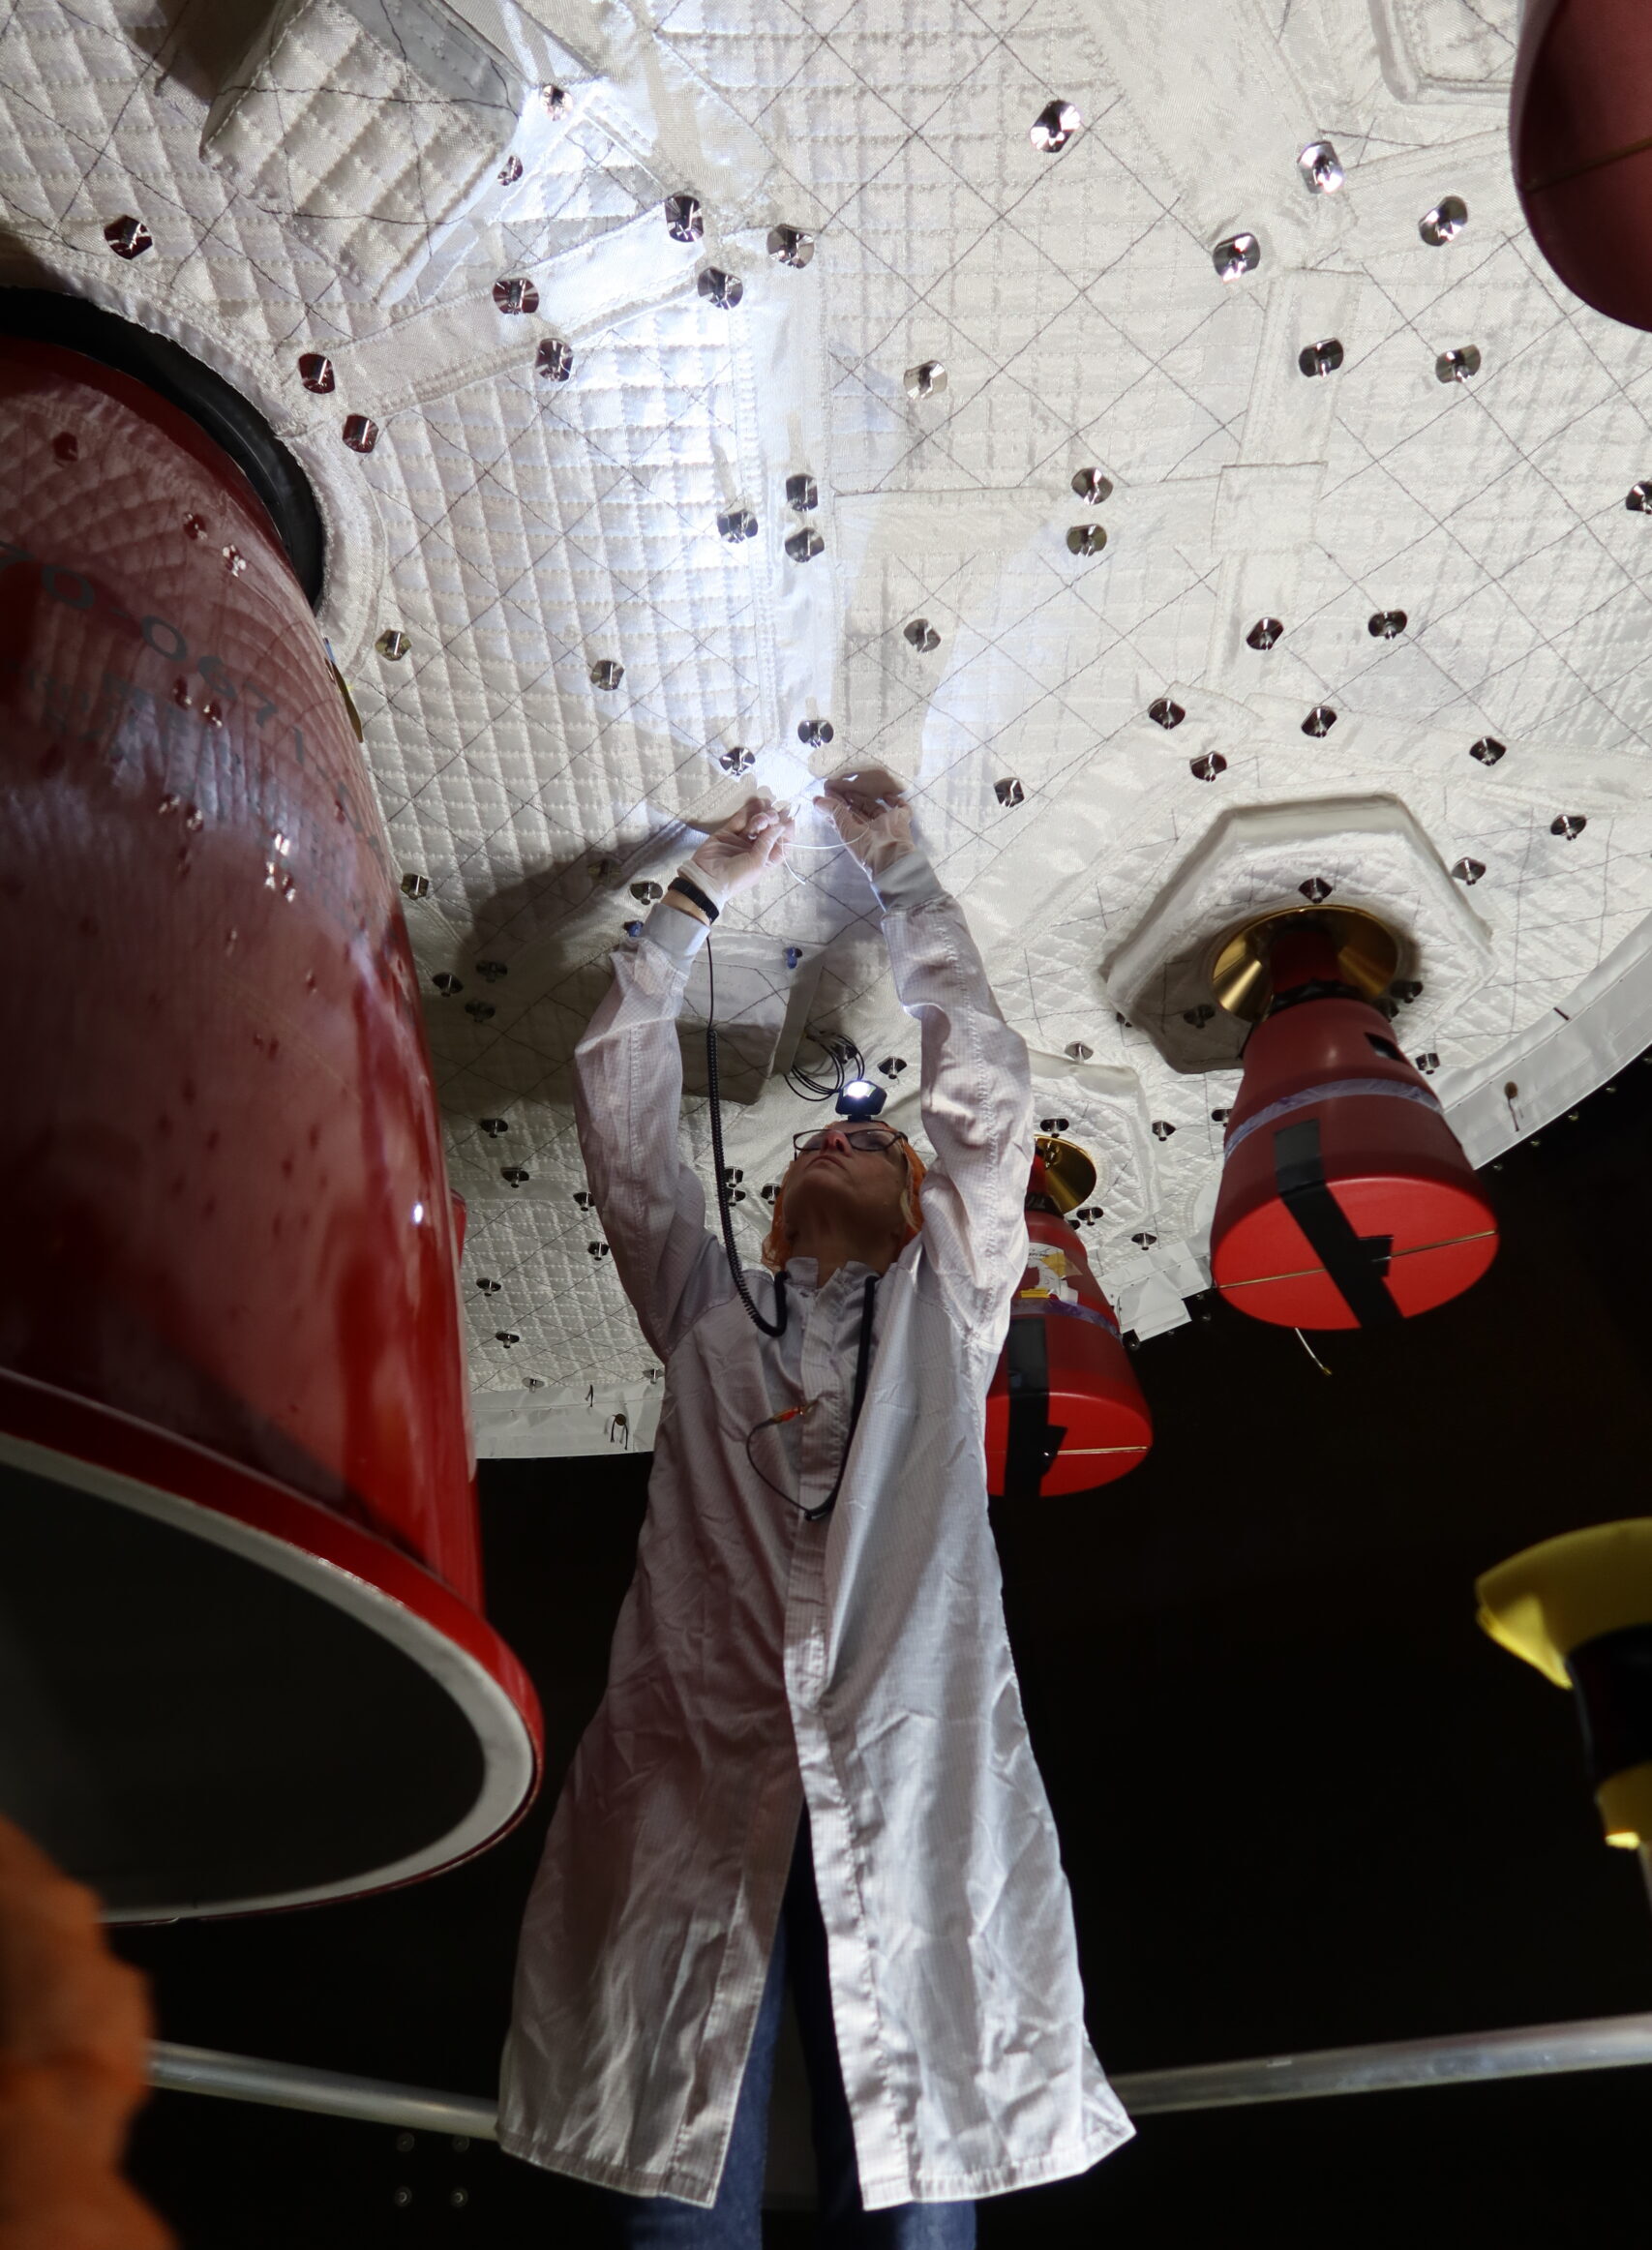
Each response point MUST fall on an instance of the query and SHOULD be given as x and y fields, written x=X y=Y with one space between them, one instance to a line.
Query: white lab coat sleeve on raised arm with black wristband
x=627 y=1104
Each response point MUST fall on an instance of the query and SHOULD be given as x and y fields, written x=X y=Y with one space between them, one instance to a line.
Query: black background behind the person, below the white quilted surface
x=1302 y=1799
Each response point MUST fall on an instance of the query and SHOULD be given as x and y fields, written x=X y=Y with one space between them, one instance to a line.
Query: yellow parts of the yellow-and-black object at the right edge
x=1554 y=1599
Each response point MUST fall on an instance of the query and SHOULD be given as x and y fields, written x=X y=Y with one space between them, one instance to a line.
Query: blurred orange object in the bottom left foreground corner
x=73 y=2067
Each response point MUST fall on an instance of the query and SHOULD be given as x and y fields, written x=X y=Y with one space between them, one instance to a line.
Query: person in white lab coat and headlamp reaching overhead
x=811 y=1754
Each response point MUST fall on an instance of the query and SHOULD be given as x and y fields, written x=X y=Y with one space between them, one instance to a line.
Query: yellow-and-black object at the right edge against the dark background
x=1581 y=1612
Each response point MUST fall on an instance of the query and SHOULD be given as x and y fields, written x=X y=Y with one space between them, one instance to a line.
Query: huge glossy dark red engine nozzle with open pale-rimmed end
x=242 y=1641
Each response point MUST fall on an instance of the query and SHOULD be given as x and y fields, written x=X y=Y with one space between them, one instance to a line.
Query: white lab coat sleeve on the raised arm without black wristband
x=978 y=1095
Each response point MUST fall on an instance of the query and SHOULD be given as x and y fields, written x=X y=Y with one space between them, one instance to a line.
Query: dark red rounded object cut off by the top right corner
x=1581 y=143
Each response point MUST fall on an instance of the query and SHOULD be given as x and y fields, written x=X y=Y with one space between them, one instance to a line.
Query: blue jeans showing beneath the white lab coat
x=735 y=2220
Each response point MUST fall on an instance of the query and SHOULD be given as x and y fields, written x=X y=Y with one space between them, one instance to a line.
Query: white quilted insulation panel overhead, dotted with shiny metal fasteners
x=467 y=217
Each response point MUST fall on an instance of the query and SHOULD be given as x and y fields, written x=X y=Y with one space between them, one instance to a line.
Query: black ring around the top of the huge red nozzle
x=217 y=406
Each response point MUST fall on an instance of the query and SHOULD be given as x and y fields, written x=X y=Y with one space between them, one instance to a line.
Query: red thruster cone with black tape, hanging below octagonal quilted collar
x=1347 y=1200
